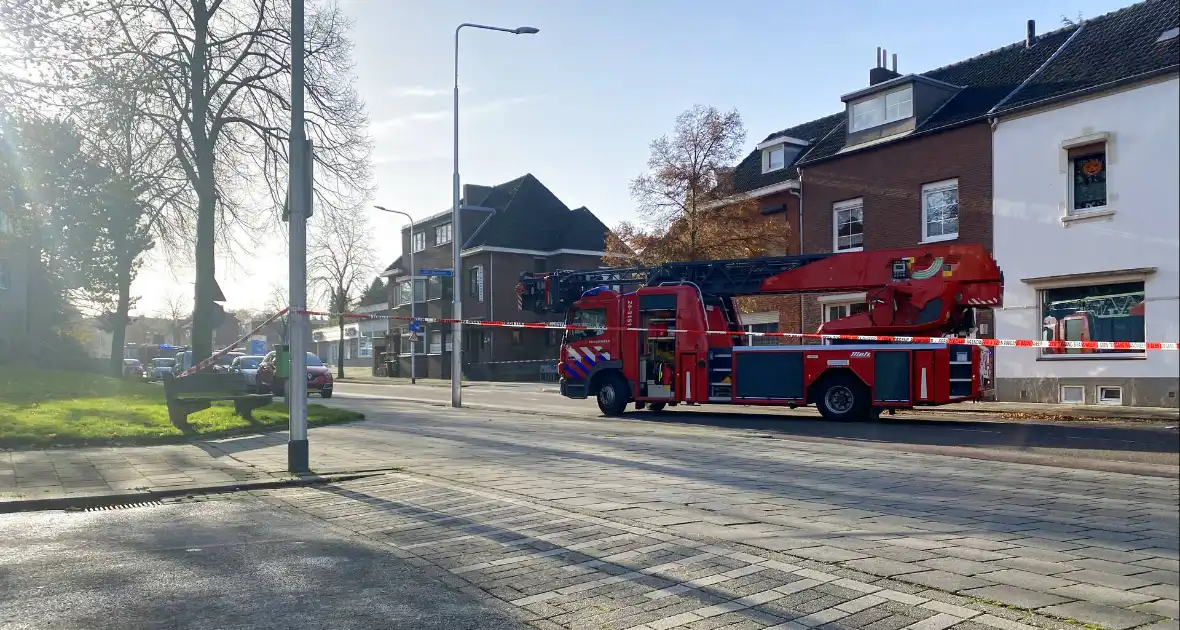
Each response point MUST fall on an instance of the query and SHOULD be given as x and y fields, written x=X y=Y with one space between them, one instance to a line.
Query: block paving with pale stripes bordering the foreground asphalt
x=565 y=569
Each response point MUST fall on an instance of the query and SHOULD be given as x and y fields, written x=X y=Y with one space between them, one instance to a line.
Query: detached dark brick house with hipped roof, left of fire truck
x=515 y=227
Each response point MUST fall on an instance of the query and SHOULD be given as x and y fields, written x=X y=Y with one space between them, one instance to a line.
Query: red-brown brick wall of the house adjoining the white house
x=890 y=181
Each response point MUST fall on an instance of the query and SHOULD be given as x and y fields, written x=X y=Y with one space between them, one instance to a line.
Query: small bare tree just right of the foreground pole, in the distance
x=342 y=266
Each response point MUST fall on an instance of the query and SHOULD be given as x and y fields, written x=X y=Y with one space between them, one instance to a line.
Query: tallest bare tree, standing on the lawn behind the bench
x=219 y=74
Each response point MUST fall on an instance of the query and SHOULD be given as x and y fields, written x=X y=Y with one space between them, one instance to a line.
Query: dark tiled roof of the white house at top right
x=1110 y=49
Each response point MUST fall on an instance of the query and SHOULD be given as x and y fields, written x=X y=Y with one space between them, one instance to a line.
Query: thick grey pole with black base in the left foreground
x=298 y=460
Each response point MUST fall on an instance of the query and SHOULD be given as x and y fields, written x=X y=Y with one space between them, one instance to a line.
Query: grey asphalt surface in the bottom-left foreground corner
x=218 y=565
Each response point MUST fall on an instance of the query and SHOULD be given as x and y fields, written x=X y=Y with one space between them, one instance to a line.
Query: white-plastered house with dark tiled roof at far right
x=1086 y=216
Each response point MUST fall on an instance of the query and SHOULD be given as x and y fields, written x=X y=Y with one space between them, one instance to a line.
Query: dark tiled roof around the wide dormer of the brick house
x=985 y=82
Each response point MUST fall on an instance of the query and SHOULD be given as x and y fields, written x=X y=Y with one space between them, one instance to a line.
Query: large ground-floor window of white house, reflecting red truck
x=1093 y=313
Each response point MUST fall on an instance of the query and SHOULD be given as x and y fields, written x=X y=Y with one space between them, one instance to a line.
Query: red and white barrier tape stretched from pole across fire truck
x=954 y=342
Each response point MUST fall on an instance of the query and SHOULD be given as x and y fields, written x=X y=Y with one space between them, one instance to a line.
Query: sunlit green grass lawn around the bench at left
x=45 y=409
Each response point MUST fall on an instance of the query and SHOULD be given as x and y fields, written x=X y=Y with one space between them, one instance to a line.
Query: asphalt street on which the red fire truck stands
x=1099 y=445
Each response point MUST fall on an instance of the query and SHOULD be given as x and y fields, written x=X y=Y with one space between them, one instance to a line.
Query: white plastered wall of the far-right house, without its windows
x=1032 y=241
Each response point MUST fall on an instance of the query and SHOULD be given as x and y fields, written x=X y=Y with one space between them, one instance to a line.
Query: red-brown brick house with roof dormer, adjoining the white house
x=907 y=162
